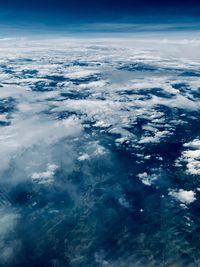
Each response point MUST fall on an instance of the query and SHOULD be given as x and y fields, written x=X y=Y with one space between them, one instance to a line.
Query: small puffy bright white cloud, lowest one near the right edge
x=184 y=196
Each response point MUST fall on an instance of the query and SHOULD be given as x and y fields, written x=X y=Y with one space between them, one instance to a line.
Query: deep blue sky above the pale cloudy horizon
x=79 y=15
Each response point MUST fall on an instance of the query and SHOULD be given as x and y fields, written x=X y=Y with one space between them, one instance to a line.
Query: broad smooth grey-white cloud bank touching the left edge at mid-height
x=24 y=134
